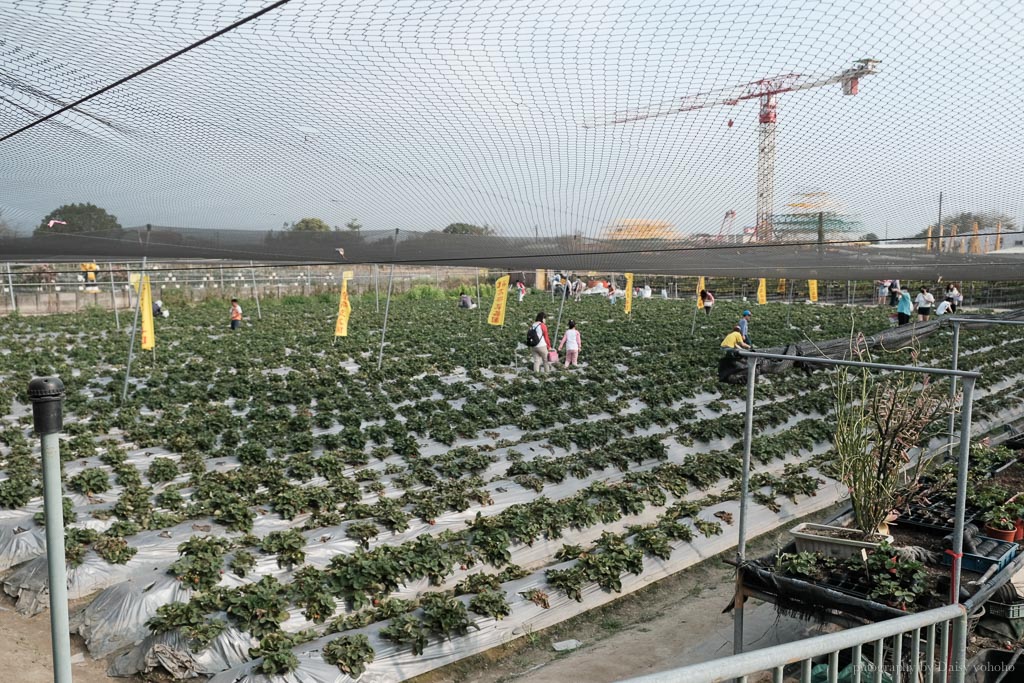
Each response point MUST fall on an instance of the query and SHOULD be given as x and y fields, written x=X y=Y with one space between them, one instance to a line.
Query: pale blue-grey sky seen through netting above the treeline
x=414 y=114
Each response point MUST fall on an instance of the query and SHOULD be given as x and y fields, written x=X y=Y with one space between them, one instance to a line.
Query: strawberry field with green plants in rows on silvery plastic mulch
x=269 y=502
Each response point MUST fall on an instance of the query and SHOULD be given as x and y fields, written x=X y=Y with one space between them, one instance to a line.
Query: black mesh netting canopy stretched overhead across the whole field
x=703 y=137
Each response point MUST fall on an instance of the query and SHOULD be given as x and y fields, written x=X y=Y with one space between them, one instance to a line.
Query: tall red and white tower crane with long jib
x=767 y=91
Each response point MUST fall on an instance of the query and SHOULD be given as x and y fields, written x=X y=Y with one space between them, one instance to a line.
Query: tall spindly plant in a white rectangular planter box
x=880 y=420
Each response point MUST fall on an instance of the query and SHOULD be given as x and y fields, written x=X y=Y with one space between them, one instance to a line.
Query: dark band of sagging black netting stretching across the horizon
x=798 y=261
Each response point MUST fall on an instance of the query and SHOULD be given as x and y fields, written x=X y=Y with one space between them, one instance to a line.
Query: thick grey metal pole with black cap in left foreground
x=48 y=395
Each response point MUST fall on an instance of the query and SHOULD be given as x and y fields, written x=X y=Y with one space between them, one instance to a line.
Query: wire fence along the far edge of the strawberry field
x=42 y=289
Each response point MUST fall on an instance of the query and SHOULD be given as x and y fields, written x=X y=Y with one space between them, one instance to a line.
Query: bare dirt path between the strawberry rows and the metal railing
x=676 y=622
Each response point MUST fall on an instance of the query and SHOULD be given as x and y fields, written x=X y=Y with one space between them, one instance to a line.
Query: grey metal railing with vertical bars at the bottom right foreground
x=916 y=648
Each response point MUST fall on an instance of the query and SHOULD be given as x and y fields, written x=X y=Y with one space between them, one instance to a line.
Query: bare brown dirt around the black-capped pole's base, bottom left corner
x=25 y=651
